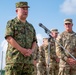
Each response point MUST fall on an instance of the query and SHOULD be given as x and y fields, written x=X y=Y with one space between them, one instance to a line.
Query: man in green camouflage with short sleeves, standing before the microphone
x=21 y=38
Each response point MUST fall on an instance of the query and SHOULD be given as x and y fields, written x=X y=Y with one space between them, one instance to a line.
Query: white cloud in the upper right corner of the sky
x=68 y=7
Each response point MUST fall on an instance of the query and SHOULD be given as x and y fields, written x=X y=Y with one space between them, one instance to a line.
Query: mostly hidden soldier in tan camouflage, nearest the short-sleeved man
x=41 y=65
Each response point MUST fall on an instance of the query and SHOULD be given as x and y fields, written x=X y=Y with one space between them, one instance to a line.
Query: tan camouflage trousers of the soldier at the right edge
x=66 y=69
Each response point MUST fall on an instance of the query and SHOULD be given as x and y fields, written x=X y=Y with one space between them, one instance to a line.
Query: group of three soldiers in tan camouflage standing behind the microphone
x=57 y=56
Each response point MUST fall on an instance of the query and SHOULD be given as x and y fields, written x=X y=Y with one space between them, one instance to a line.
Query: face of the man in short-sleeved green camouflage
x=22 y=12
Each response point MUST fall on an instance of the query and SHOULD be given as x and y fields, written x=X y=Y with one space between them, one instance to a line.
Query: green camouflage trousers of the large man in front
x=19 y=69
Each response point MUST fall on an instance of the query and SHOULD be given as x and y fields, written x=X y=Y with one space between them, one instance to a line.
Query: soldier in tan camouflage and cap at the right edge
x=67 y=39
